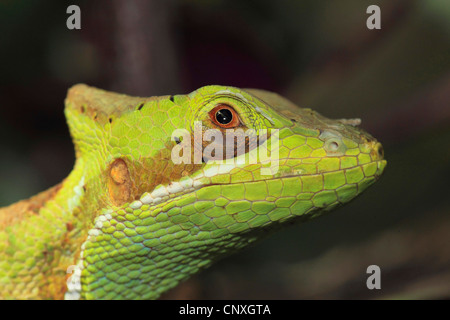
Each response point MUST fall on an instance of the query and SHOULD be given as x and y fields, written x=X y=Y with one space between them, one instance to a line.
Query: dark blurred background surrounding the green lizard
x=318 y=54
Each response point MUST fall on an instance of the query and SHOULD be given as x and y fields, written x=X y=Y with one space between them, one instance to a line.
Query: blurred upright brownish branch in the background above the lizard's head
x=145 y=53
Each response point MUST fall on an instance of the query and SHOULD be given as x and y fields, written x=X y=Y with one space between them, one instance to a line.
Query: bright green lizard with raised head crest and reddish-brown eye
x=131 y=221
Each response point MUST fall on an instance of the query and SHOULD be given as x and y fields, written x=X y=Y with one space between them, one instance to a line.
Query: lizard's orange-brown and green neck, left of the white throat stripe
x=41 y=237
